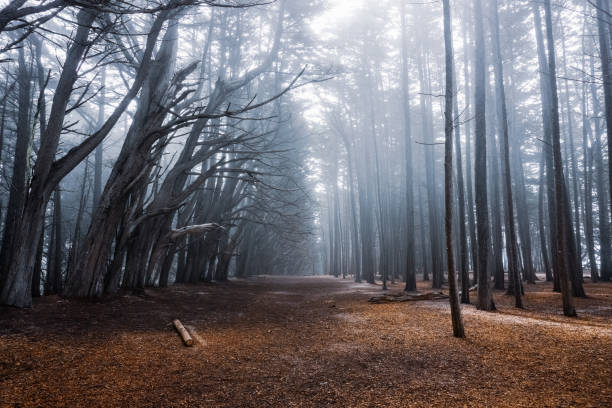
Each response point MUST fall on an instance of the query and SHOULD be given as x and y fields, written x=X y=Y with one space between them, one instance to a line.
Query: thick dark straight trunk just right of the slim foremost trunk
x=485 y=298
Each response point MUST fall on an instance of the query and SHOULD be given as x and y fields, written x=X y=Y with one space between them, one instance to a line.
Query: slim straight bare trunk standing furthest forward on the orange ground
x=458 y=330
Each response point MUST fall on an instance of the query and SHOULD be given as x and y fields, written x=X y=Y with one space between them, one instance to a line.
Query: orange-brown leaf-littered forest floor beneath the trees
x=305 y=342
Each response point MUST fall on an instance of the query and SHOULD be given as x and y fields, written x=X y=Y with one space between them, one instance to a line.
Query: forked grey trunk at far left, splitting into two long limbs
x=48 y=171
